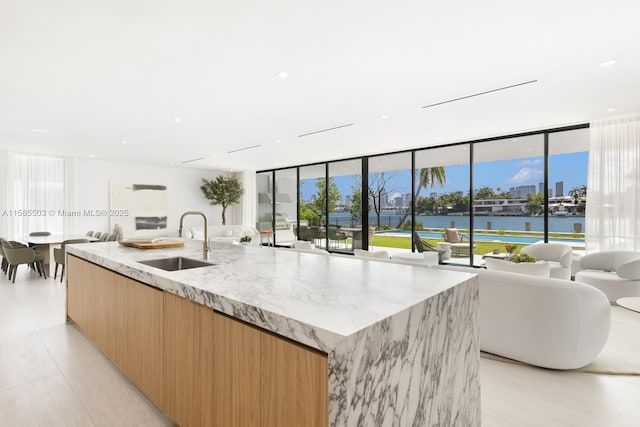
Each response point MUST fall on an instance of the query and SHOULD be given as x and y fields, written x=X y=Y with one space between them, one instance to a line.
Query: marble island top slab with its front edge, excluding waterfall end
x=313 y=299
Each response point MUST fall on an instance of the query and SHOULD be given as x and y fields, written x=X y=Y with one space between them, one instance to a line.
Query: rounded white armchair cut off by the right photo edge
x=616 y=273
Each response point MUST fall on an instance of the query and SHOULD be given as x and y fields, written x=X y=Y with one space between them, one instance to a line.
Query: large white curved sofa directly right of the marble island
x=547 y=322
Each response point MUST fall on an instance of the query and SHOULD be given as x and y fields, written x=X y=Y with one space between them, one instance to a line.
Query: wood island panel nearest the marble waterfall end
x=294 y=384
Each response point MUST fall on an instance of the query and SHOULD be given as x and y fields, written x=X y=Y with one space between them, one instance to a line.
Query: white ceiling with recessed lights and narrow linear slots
x=93 y=73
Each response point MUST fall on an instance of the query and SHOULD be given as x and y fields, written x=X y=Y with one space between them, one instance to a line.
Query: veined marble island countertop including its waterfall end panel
x=402 y=340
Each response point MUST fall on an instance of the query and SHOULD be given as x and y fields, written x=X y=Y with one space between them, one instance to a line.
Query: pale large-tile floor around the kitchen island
x=51 y=375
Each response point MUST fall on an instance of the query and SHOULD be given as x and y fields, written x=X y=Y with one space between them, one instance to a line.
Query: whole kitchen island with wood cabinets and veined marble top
x=269 y=336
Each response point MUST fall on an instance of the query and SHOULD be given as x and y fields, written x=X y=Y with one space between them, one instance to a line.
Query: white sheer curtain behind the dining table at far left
x=34 y=194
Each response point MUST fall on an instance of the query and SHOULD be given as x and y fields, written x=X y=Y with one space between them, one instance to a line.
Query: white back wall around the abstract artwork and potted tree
x=183 y=185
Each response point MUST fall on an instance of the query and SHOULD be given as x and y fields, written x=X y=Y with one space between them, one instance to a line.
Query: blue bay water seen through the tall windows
x=517 y=223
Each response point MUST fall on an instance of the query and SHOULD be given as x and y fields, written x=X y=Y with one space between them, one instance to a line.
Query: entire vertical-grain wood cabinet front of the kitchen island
x=202 y=368
